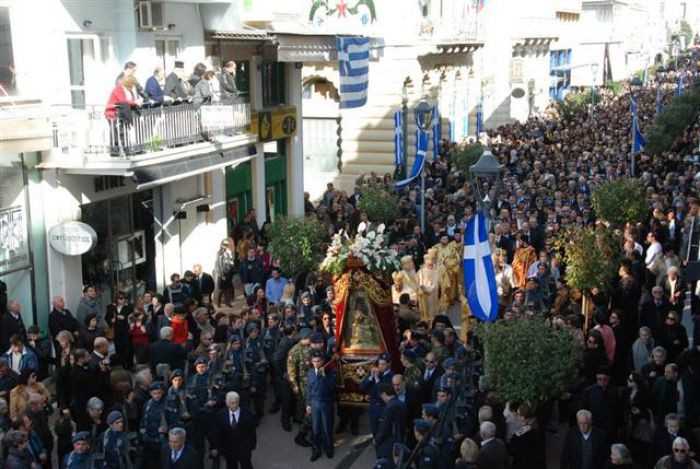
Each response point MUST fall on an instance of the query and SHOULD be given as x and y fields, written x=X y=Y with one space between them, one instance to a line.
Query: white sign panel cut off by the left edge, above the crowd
x=14 y=251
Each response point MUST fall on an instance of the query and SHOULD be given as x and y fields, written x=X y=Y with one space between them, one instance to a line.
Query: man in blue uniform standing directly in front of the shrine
x=320 y=403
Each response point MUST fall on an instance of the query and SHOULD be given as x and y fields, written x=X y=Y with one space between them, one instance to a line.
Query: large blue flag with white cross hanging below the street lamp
x=479 y=276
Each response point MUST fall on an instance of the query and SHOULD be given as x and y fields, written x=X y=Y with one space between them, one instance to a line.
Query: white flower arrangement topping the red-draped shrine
x=370 y=249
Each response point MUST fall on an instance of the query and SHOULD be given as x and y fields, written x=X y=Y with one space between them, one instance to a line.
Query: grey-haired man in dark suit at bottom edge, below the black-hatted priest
x=584 y=446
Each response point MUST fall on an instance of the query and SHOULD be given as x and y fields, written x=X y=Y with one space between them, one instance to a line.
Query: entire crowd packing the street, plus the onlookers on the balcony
x=179 y=377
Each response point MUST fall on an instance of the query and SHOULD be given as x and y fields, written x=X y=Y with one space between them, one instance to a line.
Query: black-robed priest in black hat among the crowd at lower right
x=602 y=400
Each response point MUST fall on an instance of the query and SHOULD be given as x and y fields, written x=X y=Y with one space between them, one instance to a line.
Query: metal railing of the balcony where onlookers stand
x=88 y=133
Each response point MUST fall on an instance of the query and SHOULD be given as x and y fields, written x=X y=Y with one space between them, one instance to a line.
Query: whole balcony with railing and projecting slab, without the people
x=171 y=137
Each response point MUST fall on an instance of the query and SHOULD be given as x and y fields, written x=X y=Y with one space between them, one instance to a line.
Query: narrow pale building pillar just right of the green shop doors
x=295 y=154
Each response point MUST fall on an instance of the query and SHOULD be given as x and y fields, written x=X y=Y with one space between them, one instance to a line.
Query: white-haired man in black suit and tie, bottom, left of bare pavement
x=234 y=434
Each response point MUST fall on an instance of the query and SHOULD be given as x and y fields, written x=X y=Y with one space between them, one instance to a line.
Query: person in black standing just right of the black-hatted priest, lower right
x=639 y=426
